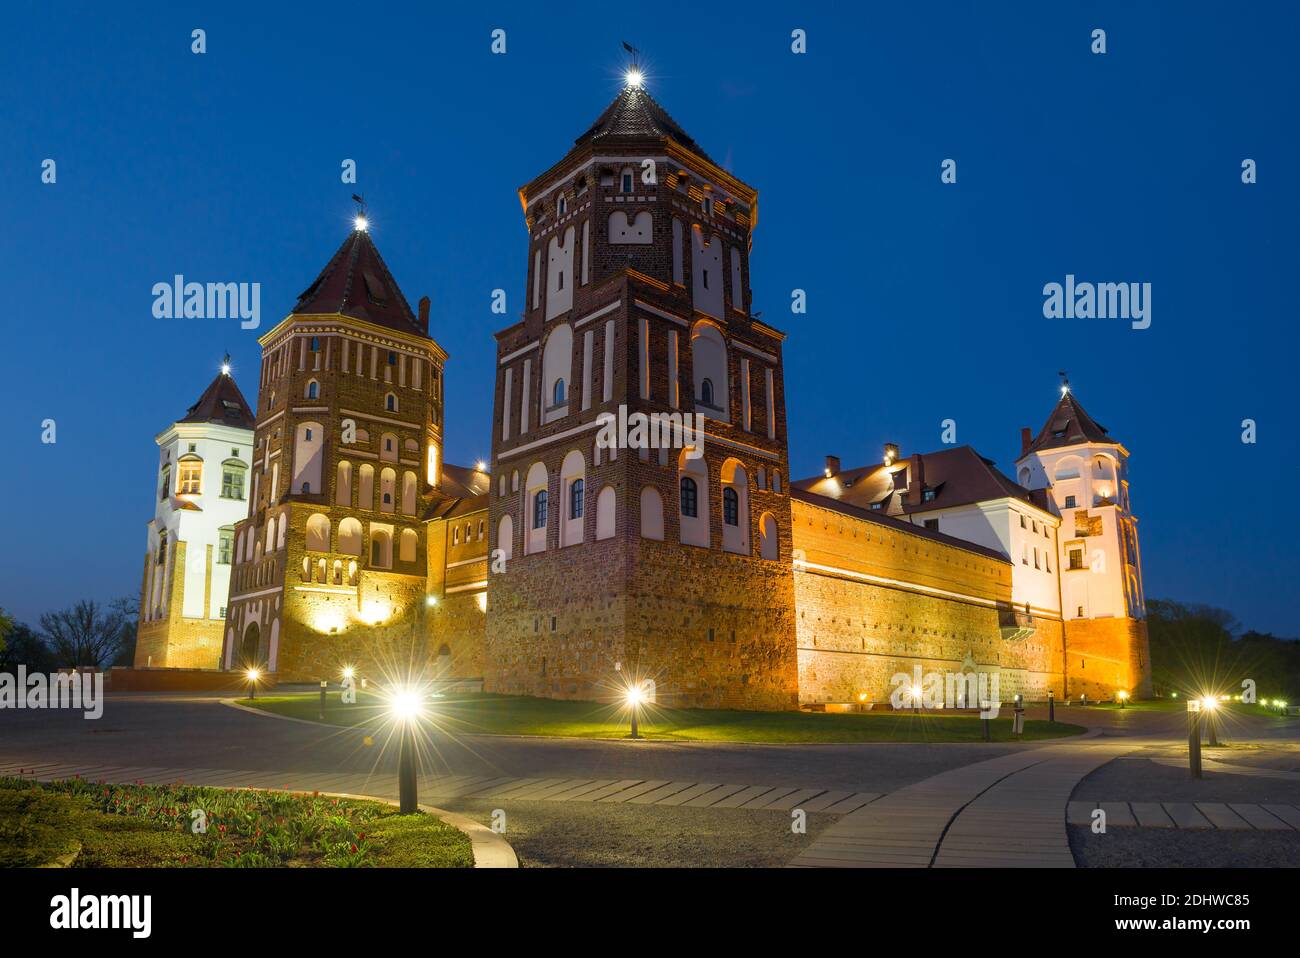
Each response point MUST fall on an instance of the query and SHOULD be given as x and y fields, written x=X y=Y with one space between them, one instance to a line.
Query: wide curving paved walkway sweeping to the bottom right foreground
x=1006 y=812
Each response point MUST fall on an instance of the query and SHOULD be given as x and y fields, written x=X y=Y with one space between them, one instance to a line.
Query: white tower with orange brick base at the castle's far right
x=1086 y=474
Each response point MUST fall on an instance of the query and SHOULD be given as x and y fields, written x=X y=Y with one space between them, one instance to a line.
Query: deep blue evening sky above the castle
x=925 y=301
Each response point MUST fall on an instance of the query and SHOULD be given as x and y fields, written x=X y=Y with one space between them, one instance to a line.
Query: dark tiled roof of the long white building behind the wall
x=956 y=476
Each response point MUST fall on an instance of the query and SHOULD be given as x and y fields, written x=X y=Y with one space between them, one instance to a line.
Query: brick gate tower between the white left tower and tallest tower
x=331 y=563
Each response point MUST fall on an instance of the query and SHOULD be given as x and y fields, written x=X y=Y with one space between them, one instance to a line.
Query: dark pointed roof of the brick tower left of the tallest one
x=357 y=283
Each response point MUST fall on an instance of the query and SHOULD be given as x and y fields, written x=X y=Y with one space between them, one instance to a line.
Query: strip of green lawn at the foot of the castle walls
x=476 y=714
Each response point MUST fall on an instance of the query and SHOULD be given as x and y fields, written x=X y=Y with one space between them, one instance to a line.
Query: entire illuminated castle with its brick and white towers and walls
x=703 y=566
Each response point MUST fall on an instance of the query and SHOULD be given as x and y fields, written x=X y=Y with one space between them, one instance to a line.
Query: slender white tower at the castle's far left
x=202 y=495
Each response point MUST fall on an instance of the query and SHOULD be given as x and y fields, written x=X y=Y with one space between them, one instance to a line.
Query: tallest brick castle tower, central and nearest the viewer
x=669 y=565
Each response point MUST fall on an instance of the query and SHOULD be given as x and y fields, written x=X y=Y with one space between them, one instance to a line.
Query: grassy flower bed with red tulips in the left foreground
x=99 y=826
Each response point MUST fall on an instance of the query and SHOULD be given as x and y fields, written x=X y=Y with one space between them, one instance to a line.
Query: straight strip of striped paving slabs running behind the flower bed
x=487 y=787
